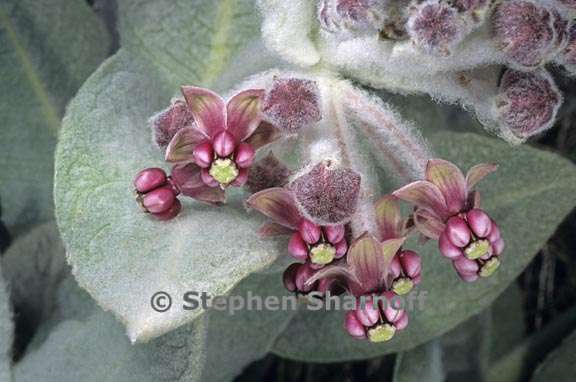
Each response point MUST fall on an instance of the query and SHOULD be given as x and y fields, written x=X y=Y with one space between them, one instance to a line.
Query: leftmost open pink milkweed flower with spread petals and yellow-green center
x=224 y=136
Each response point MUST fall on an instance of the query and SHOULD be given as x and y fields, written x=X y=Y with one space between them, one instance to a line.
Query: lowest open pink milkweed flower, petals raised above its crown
x=366 y=274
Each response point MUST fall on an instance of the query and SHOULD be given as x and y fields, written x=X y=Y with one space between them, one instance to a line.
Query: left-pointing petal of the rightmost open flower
x=425 y=195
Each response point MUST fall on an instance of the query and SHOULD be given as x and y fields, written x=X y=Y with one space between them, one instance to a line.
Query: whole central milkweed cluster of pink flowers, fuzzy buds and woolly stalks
x=340 y=238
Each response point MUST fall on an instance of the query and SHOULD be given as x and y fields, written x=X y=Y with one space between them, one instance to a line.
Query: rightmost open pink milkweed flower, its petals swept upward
x=448 y=210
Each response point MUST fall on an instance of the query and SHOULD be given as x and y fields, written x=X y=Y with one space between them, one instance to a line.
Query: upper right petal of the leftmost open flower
x=244 y=113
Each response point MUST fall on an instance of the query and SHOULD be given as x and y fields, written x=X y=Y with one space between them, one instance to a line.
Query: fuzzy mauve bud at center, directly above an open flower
x=327 y=194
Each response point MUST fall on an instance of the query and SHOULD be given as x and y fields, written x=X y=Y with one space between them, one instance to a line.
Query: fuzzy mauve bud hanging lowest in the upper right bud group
x=527 y=103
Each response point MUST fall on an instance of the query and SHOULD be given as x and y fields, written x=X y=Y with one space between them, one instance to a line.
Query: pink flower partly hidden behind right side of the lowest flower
x=406 y=265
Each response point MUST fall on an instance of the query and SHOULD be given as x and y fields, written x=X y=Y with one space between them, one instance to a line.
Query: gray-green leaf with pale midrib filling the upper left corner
x=48 y=48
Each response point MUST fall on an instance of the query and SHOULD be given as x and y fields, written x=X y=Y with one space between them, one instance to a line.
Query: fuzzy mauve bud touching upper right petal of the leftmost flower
x=292 y=103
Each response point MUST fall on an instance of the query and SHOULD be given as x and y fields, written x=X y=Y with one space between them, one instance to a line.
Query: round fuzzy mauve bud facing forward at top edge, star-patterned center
x=435 y=27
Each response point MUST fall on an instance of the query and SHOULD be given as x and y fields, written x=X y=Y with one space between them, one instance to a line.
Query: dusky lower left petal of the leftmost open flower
x=189 y=180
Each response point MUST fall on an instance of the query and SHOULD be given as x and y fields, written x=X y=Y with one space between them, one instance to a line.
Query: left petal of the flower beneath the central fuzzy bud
x=278 y=204
